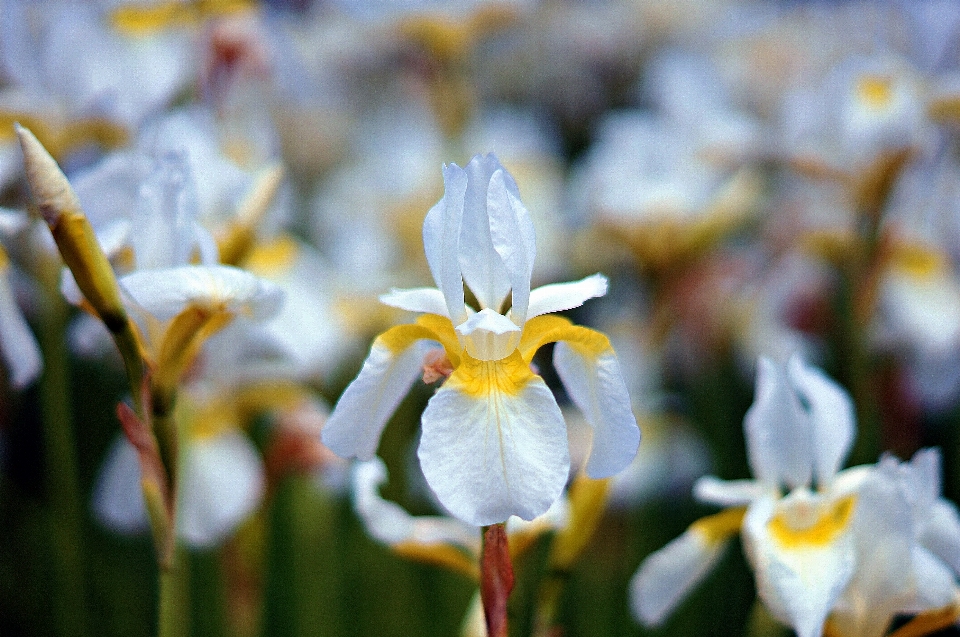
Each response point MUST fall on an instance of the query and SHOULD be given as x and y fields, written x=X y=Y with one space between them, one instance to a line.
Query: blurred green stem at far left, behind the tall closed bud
x=63 y=490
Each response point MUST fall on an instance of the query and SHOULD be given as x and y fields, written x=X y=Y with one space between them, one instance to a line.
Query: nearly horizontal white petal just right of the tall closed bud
x=165 y=293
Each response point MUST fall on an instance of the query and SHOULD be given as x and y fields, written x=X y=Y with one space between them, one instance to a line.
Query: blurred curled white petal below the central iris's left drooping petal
x=389 y=523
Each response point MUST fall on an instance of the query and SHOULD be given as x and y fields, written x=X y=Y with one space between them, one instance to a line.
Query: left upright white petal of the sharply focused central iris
x=441 y=241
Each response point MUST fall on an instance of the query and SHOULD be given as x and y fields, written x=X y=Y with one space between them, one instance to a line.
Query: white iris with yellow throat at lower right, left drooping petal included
x=795 y=518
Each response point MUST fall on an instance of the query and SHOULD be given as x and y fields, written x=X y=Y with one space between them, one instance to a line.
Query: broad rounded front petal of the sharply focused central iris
x=491 y=449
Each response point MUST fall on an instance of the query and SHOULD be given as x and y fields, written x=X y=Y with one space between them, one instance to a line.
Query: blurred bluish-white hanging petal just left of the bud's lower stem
x=117 y=495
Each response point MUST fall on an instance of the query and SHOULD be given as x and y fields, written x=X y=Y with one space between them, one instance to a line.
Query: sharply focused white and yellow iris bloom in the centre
x=494 y=442
